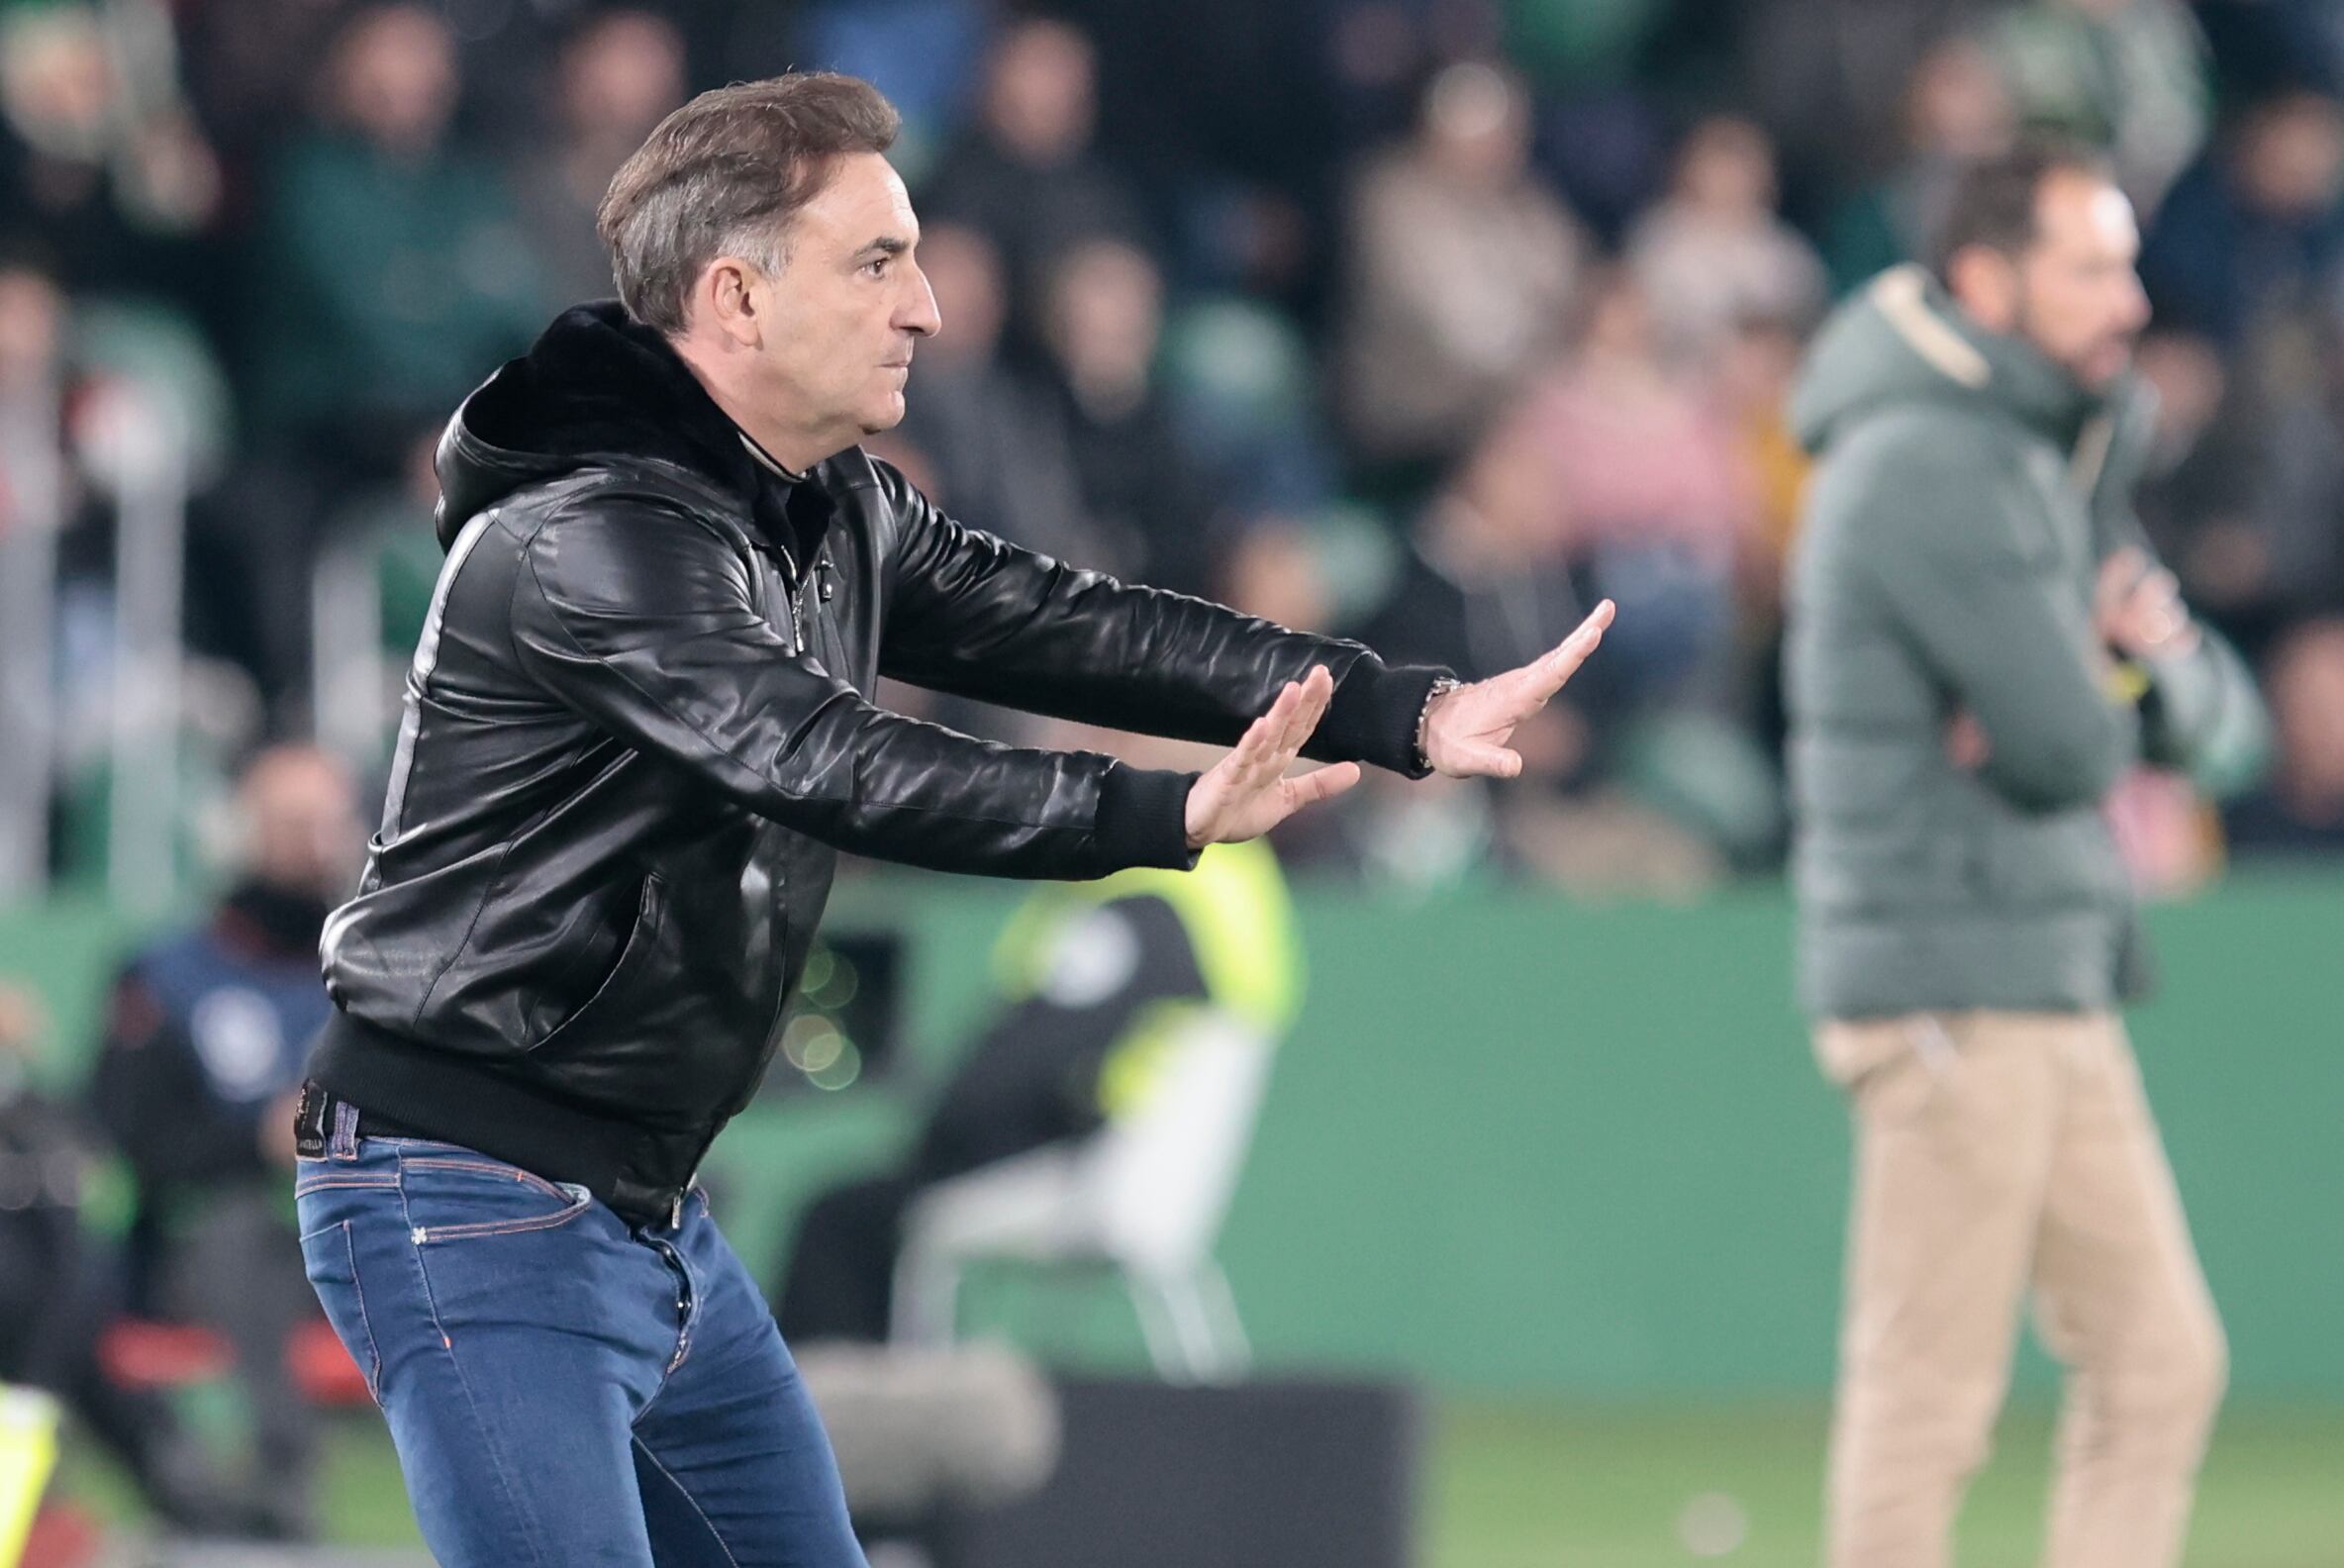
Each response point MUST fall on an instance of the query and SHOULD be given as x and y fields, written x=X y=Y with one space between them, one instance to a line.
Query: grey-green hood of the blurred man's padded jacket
x=1902 y=341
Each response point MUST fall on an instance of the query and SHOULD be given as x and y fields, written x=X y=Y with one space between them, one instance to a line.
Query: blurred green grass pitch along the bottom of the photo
x=1642 y=1487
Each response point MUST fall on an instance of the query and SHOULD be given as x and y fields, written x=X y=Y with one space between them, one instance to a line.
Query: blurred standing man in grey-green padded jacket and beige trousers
x=1982 y=648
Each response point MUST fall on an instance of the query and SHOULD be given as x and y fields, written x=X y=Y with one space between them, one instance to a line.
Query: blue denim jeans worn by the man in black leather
x=566 y=1391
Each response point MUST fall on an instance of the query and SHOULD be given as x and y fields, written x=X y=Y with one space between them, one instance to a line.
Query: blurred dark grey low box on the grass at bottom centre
x=1276 y=1475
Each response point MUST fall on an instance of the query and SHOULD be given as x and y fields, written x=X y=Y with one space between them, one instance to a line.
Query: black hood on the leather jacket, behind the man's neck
x=592 y=386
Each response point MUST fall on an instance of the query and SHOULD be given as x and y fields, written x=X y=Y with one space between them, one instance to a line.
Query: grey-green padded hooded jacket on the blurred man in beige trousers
x=1963 y=503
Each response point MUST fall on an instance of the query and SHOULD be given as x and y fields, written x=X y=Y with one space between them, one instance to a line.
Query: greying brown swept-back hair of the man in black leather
x=725 y=175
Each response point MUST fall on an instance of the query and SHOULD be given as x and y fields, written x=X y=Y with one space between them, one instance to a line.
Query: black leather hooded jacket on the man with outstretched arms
x=639 y=730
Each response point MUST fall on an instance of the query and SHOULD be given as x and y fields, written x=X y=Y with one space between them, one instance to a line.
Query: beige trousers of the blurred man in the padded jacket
x=2008 y=1157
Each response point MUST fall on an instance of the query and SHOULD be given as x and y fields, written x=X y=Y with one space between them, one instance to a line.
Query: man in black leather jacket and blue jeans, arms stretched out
x=639 y=730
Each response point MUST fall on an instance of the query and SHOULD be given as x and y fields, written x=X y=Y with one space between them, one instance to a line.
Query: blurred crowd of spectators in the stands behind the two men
x=1426 y=322
